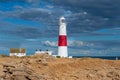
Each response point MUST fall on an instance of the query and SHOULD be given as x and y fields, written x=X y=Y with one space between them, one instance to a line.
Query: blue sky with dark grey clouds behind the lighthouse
x=93 y=26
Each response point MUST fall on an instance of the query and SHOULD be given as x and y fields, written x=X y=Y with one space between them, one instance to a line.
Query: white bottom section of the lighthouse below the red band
x=62 y=51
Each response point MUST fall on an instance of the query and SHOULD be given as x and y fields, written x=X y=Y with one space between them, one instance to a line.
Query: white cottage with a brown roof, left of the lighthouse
x=18 y=52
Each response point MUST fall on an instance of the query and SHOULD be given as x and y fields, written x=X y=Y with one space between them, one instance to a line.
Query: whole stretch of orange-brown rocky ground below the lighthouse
x=44 y=67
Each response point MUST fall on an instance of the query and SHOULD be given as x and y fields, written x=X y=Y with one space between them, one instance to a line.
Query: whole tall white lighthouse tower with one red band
x=62 y=41
